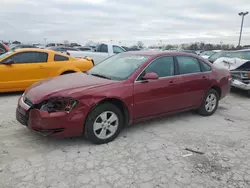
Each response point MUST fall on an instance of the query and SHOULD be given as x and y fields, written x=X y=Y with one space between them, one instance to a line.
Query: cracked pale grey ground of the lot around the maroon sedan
x=147 y=155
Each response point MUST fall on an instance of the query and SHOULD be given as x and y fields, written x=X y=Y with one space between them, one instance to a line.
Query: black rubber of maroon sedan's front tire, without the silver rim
x=89 y=132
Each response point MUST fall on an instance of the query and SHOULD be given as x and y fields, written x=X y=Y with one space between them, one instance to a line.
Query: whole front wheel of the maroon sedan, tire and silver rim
x=98 y=123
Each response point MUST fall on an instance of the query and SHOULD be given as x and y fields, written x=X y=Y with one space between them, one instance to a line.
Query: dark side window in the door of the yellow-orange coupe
x=29 y=57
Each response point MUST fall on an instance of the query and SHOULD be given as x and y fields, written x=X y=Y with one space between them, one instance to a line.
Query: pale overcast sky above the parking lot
x=125 y=21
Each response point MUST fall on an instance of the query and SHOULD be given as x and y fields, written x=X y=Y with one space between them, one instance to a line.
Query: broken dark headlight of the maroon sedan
x=58 y=104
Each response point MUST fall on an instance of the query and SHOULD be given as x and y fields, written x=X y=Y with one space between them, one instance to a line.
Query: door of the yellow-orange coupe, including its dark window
x=27 y=68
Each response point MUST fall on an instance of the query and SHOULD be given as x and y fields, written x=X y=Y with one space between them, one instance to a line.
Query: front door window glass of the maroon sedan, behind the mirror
x=163 y=67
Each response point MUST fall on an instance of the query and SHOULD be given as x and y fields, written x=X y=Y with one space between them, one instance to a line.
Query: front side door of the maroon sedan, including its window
x=154 y=97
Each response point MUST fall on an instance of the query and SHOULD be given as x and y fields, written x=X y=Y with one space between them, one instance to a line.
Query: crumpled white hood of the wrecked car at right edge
x=230 y=63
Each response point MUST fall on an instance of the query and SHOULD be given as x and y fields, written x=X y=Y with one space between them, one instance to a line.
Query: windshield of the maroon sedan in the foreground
x=118 y=67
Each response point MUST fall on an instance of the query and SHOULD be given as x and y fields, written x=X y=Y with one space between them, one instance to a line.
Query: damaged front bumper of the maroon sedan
x=59 y=124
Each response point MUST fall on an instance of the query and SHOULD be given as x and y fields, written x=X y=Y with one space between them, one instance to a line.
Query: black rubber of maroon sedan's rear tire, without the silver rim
x=202 y=109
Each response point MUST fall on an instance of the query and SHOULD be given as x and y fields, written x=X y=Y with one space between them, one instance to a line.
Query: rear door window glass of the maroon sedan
x=188 y=65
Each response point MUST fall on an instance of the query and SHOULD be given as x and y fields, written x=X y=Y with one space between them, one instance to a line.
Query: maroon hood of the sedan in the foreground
x=64 y=85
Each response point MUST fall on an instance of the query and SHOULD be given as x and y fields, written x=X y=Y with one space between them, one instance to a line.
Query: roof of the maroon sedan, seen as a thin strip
x=157 y=53
